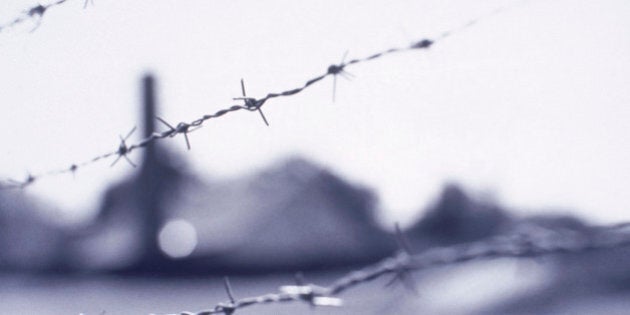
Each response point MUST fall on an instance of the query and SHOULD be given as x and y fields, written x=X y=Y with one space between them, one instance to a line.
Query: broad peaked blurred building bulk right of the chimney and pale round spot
x=295 y=215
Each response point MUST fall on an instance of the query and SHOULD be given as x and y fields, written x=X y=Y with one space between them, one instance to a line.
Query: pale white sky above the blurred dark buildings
x=528 y=106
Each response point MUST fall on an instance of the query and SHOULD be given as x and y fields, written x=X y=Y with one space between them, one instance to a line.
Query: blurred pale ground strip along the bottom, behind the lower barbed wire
x=473 y=288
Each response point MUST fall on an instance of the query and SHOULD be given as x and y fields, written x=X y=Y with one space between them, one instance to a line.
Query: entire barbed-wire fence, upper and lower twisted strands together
x=400 y=265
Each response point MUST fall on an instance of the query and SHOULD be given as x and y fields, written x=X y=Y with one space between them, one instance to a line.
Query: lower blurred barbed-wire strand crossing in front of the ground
x=530 y=244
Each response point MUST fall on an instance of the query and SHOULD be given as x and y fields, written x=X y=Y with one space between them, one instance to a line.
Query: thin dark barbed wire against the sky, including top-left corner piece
x=249 y=103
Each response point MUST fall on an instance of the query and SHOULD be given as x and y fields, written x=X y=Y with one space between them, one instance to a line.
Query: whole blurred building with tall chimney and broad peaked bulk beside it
x=292 y=216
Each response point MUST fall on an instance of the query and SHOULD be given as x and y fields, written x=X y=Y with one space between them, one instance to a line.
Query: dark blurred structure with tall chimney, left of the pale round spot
x=124 y=234
